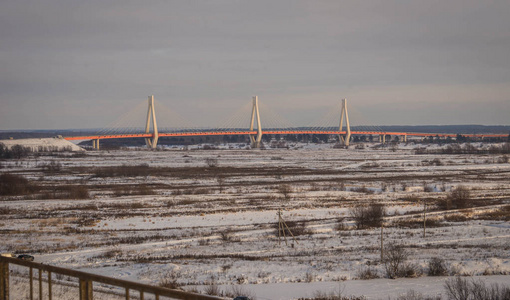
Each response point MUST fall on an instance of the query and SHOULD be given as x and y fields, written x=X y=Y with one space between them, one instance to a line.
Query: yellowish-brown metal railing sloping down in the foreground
x=86 y=281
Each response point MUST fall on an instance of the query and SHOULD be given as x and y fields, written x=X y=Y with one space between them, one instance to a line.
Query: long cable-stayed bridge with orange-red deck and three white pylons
x=262 y=121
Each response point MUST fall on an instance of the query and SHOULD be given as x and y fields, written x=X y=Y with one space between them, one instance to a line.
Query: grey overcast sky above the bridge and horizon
x=83 y=64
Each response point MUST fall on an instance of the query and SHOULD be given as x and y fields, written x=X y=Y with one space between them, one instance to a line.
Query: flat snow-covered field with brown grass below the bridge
x=202 y=218
